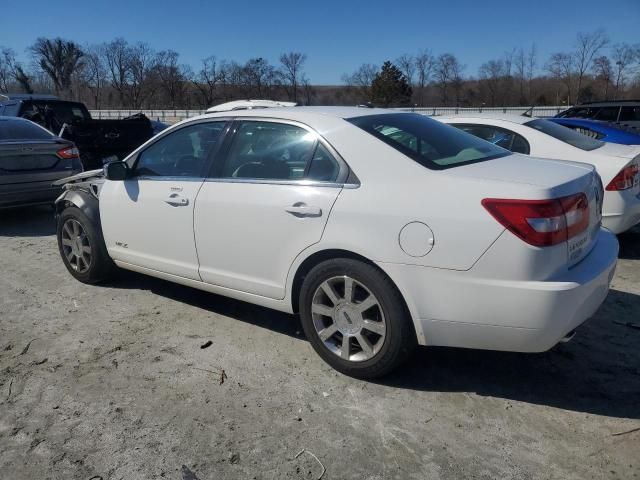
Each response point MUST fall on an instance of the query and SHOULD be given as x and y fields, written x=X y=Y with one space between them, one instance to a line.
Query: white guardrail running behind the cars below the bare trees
x=172 y=116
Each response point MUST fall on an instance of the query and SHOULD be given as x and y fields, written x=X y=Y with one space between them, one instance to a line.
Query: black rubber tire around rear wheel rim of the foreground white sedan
x=400 y=338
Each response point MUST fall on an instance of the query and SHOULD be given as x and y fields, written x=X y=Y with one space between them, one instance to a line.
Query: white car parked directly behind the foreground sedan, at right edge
x=618 y=165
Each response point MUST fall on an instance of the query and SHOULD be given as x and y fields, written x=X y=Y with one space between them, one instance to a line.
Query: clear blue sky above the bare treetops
x=337 y=36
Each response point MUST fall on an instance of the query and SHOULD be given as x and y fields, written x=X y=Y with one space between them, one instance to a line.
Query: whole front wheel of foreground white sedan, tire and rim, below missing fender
x=82 y=247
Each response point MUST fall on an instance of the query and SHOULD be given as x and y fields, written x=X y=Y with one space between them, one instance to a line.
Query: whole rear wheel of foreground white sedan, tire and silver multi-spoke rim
x=355 y=318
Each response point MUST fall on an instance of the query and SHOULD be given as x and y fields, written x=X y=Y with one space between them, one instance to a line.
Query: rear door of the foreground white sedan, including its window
x=267 y=200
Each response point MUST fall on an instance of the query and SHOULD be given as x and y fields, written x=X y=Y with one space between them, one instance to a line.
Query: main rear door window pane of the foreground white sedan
x=269 y=150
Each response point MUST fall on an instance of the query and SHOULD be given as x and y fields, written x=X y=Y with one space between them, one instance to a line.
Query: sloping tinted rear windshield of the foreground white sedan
x=430 y=143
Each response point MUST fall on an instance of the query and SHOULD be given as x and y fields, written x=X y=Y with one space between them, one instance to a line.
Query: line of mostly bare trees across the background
x=119 y=74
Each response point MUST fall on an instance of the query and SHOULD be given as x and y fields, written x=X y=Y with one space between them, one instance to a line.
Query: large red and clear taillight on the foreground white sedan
x=542 y=222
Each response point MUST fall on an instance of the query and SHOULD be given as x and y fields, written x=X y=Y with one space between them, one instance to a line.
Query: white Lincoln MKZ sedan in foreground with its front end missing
x=383 y=229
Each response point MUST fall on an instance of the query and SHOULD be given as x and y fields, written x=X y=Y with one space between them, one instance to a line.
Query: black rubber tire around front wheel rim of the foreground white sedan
x=100 y=267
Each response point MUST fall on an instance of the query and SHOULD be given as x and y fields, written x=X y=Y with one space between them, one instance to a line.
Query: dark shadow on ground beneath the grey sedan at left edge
x=37 y=221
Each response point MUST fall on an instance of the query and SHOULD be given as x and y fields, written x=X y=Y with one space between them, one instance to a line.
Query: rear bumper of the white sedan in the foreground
x=462 y=310
